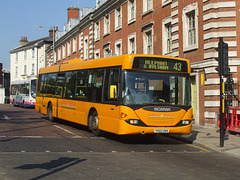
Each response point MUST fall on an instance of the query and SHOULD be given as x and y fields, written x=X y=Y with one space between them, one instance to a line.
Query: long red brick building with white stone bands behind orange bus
x=181 y=28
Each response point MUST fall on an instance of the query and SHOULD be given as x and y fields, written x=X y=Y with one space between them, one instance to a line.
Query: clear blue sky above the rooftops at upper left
x=20 y=17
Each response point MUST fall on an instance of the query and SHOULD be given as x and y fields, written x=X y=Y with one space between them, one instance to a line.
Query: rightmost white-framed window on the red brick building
x=190 y=27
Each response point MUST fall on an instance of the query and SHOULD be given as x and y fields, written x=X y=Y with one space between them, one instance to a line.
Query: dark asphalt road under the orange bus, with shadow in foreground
x=33 y=148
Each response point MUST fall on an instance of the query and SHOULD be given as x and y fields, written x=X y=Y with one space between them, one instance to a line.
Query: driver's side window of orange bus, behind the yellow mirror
x=111 y=82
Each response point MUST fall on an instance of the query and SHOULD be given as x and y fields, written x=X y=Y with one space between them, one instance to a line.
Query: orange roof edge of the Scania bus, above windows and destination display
x=126 y=61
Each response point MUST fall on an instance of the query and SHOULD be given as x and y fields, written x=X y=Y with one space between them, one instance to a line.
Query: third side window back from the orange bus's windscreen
x=82 y=80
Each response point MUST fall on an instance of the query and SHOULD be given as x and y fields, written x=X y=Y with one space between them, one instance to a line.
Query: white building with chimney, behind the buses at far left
x=28 y=58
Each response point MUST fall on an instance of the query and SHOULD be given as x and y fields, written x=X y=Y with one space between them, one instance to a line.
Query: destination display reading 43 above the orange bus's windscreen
x=161 y=64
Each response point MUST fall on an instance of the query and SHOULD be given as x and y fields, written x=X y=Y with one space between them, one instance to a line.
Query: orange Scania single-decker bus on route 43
x=128 y=94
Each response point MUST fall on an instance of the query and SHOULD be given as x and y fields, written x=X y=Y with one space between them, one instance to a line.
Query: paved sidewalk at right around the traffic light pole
x=210 y=137
